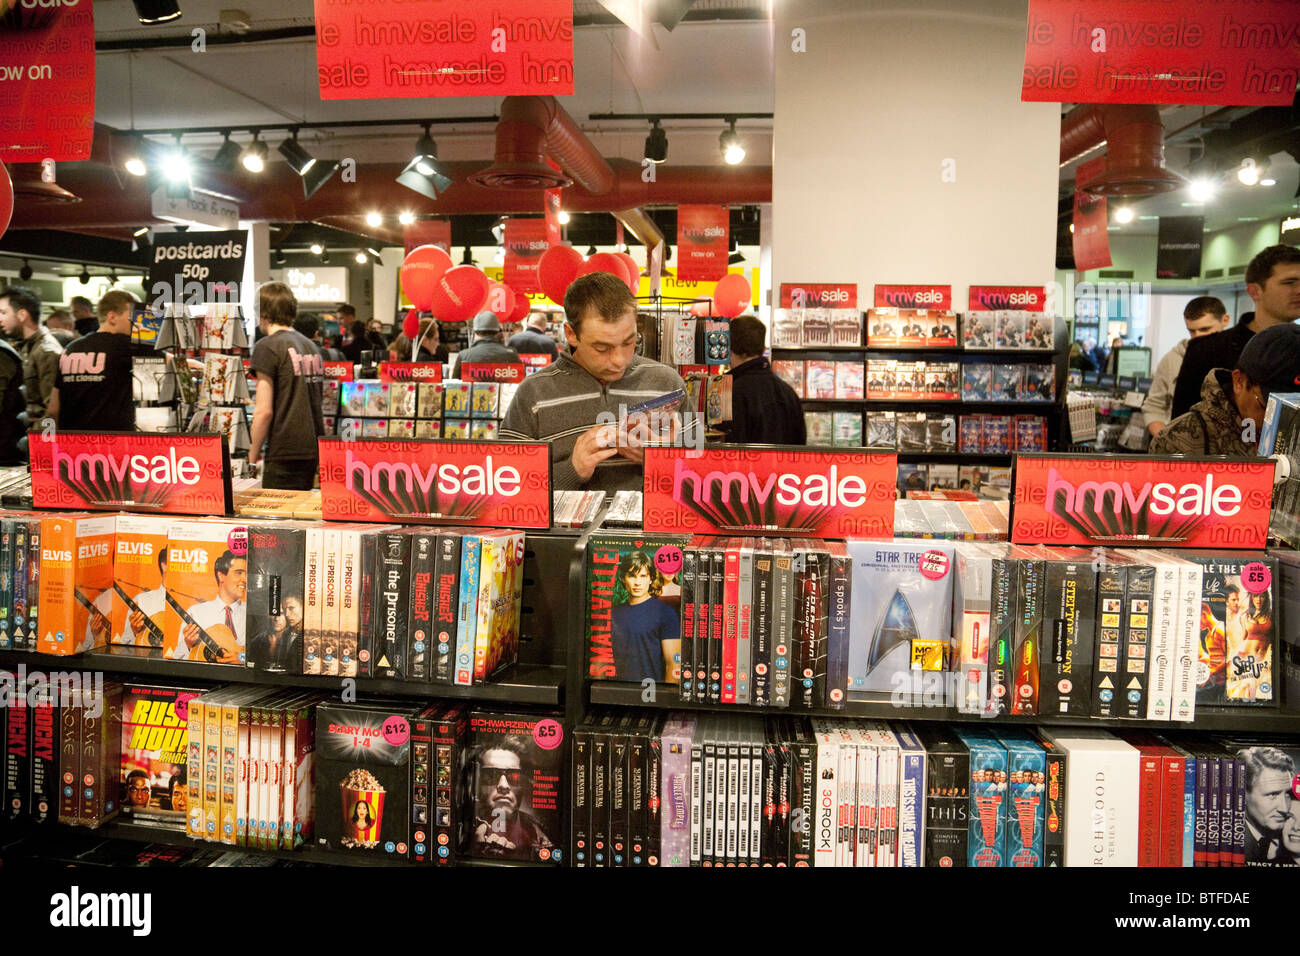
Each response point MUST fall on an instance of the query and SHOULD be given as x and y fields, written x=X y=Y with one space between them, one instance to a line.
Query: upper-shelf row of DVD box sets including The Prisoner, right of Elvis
x=379 y=602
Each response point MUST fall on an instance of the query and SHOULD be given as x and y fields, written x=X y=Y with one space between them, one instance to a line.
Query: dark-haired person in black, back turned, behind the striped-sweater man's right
x=765 y=410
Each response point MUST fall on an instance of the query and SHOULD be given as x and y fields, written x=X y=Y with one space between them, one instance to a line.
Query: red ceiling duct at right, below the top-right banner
x=1134 y=137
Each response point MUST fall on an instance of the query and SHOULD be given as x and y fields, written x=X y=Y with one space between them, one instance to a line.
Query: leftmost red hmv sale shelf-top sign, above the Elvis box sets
x=153 y=474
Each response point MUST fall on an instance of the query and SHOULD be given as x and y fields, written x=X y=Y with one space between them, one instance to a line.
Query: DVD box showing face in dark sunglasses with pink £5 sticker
x=513 y=781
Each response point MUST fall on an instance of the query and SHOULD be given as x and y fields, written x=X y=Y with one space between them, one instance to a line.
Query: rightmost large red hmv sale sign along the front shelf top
x=1141 y=500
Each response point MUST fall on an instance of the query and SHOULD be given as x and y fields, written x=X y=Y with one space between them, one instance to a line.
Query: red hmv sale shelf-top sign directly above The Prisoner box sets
x=483 y=485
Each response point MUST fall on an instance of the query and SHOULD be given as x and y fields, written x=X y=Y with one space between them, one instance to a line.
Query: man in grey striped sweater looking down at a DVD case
x=571 y=403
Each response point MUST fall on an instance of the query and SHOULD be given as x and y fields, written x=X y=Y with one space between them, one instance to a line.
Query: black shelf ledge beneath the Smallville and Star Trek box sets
x=1208 y=719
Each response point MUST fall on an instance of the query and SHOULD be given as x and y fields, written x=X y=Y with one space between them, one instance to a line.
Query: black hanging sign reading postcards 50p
x=197 y=267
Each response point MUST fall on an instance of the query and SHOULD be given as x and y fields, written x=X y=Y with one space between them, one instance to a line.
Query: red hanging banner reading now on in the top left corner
x=47 y=81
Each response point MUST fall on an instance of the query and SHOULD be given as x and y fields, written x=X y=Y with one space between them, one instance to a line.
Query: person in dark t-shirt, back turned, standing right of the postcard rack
x=288 y=412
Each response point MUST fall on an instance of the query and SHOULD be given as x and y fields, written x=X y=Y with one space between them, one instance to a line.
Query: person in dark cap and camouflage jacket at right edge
x=1230 y=416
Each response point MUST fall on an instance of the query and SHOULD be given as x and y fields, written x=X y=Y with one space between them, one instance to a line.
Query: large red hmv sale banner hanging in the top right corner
x=1155 y=51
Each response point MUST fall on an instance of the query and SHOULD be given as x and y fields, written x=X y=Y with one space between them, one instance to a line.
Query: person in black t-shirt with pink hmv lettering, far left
x=93 y=390
